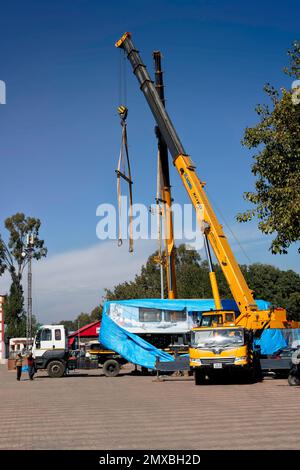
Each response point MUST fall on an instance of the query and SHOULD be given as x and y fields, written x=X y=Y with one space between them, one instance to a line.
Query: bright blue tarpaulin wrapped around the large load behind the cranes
x=138 y=351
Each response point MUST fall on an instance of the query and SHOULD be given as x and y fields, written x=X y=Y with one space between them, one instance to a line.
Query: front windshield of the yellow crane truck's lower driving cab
x=218 y=337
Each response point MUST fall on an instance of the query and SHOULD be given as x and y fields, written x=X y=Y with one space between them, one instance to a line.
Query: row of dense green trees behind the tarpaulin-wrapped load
x=281 y=288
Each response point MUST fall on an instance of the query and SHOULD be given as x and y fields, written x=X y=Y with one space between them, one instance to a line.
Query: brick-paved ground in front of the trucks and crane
x=135 y=412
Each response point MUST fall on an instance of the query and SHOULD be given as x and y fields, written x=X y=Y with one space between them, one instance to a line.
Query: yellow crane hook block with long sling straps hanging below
x=121 y=173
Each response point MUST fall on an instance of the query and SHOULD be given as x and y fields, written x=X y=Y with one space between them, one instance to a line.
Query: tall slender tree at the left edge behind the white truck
x=14 y=256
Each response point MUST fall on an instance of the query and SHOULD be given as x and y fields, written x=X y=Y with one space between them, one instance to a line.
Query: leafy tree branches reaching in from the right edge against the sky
x=277 y=164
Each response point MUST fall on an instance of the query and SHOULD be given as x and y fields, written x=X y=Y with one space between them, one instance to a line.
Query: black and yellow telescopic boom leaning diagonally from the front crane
x=250 y=316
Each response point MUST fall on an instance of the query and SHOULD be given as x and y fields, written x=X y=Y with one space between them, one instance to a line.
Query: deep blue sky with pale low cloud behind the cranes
x=60 y=133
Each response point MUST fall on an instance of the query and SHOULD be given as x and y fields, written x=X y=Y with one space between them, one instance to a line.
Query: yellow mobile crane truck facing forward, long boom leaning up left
x=224 y=338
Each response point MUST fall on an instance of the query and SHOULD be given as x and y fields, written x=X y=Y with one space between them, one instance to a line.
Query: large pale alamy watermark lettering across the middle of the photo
x=145 y=222
